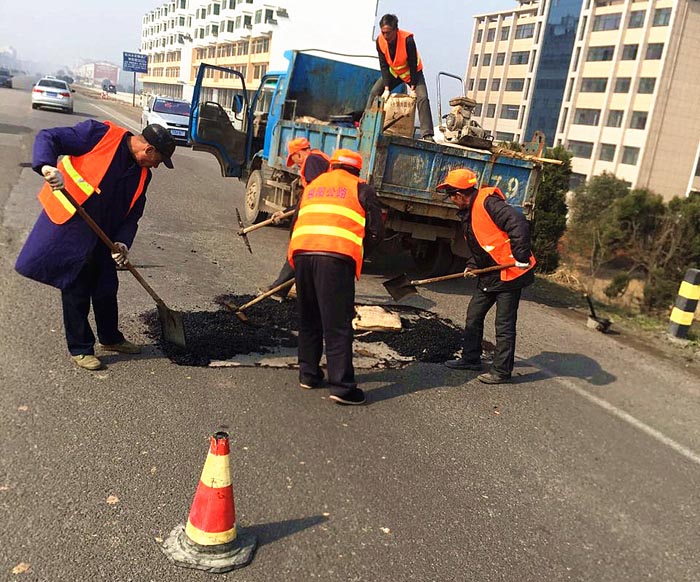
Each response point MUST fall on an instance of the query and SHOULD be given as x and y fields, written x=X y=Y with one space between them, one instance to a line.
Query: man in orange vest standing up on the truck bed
x=400 y=63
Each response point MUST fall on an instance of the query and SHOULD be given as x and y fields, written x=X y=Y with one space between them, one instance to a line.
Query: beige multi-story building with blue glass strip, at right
x=627 y=102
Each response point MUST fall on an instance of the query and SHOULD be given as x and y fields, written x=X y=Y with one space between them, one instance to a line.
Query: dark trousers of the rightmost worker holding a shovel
x=506 y=319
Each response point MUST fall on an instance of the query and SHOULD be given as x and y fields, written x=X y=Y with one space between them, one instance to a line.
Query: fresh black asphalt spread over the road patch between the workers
x=221 y=335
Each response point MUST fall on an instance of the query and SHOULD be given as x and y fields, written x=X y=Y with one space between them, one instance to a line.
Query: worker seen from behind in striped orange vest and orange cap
x=339 y=219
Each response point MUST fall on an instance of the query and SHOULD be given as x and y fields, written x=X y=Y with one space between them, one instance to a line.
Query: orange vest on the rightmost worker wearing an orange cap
x=492 y=239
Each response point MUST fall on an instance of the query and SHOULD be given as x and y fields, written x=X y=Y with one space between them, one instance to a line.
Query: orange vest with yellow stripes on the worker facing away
x=331 y=218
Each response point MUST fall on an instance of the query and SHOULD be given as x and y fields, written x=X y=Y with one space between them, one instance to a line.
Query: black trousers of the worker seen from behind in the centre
x=326 y=303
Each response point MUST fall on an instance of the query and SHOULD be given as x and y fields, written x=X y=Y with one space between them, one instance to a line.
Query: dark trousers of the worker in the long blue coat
x=97 y=283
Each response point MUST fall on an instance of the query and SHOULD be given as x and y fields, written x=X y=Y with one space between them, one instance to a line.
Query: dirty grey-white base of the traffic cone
x=183 y=552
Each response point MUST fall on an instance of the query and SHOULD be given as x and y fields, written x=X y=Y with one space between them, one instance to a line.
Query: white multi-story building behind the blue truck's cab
x=249 y=36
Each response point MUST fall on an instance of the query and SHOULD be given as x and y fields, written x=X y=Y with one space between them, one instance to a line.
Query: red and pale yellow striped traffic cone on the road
x=210 y=541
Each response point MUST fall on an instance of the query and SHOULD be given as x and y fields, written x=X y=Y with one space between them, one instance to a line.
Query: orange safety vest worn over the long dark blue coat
x=82 y=176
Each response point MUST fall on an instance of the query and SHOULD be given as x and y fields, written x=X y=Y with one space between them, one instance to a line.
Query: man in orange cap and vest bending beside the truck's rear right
x=496 y=234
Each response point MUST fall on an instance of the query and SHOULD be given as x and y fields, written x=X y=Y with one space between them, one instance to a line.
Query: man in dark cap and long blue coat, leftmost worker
x=106 y=169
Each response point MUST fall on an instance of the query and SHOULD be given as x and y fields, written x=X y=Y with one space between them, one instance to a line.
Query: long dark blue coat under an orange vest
x=54 y=254
